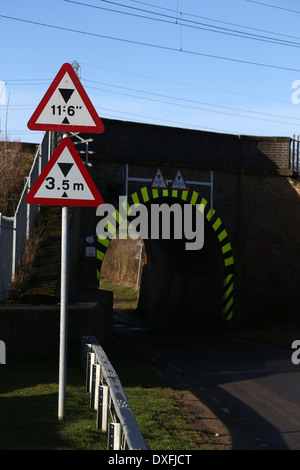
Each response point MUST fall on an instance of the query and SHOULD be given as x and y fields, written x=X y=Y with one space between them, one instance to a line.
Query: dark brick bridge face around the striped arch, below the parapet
x=262 y=218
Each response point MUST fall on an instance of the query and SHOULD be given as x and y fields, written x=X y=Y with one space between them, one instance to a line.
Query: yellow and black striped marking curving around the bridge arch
x=147 y=194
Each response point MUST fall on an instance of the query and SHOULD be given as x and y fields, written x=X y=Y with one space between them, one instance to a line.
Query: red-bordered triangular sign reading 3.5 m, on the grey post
x=65 y=181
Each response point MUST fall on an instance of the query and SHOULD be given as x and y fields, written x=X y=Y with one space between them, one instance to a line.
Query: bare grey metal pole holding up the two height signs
x=63 y=310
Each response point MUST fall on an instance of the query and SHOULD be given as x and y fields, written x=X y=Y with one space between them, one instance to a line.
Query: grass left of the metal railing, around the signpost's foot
x=28 y=410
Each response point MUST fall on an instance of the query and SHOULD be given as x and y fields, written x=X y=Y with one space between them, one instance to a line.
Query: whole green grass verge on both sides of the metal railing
x=29 y=416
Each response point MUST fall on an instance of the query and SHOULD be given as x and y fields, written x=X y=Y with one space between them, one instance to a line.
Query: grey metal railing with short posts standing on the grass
x=107 y=396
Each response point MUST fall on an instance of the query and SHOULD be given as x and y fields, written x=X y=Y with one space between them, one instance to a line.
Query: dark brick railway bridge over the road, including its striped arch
x=248 y=269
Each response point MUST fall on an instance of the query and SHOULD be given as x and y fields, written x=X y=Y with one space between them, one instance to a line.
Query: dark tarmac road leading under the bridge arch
x=253 y=389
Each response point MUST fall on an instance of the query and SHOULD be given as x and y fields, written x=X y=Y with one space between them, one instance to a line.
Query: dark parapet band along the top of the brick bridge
x=140 y=144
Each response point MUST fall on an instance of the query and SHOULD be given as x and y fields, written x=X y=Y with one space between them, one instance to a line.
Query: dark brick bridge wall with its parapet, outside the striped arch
x=253 y=194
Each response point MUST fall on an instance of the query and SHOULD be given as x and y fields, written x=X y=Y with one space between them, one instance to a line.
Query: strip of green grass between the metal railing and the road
x=161 y=416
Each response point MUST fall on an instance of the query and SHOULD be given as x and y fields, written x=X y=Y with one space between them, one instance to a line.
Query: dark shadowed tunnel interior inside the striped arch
x=181 y=286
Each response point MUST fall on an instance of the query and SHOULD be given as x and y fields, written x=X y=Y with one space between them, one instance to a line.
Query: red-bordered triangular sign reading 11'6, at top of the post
x=66 y=107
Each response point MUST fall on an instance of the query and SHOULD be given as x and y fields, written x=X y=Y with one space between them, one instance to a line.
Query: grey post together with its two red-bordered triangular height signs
x=65 y=180
